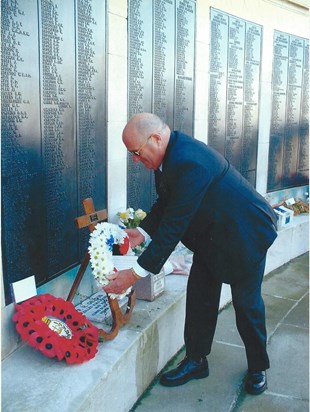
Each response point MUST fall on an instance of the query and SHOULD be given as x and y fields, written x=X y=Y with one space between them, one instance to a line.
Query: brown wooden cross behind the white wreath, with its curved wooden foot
x=90 y=219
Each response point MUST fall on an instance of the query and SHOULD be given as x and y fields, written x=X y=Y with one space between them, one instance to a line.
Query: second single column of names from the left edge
x=57 y=46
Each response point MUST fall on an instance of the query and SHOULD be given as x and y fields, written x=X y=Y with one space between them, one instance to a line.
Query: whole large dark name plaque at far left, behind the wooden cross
x=53 y=131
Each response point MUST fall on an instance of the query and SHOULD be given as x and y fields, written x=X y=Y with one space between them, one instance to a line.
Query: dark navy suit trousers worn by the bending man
x=202 y=305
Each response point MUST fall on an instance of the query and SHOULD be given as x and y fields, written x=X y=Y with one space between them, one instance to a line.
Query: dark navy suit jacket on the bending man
x=205 y=203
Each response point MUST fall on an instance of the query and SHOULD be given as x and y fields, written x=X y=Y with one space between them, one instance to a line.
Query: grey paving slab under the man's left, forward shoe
x=214 y=393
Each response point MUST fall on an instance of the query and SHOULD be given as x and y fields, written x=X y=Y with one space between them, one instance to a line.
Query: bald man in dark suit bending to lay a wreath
x=207 y=205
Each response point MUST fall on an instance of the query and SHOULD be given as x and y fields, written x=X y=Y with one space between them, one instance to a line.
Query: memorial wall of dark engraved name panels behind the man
x=211 y=72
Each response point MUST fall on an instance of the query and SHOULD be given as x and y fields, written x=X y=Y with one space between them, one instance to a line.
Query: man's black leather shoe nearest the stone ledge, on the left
x=187 y=369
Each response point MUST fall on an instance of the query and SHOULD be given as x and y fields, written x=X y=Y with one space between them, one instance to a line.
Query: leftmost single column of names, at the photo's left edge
x=21 y=183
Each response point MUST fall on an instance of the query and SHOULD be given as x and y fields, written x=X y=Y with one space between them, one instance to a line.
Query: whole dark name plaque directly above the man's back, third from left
x=235 y=59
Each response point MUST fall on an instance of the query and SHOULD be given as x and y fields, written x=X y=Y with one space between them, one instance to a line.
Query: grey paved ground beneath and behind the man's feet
x=286 y=296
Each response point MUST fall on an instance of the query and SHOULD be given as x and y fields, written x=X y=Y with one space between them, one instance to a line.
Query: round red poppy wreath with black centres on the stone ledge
x=54 y=327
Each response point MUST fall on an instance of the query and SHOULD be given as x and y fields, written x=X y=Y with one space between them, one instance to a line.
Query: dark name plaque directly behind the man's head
x=161 y=76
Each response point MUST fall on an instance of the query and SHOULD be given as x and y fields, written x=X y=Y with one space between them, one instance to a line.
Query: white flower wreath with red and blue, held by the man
x=102 y=240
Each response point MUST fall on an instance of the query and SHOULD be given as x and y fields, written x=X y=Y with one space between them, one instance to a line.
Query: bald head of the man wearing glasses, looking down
x=146 y=136
